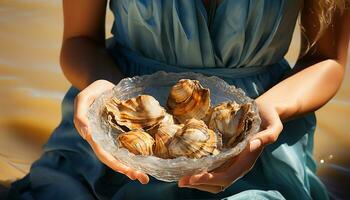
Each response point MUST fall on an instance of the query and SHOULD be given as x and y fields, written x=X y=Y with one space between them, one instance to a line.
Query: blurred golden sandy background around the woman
x=32 y=87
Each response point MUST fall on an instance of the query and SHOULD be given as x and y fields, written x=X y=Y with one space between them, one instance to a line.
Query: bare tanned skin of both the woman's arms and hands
x=87 y=65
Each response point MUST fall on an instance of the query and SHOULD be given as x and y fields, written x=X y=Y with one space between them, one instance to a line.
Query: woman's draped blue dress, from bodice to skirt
x=244 y=43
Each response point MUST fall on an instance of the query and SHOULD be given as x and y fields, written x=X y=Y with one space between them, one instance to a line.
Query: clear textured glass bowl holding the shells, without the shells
x=158 y=85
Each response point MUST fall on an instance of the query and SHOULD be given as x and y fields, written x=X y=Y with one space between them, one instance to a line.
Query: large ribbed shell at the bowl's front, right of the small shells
x=194 y=140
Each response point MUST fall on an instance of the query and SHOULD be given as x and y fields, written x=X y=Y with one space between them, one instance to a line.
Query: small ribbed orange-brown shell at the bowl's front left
x=137 y=141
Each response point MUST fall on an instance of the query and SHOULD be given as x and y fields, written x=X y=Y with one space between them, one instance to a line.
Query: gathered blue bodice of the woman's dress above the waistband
x=243 y=33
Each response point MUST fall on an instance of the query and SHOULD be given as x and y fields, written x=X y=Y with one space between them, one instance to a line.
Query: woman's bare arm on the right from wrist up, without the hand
x=317 y=76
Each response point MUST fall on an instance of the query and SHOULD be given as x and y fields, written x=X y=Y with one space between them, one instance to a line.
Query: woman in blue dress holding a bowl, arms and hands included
x=247 y=41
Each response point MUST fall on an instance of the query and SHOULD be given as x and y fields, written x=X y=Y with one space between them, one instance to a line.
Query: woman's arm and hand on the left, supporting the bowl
x=84 y=60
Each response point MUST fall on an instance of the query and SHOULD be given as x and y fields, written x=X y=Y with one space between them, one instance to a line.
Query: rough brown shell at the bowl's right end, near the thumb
x=231 y=120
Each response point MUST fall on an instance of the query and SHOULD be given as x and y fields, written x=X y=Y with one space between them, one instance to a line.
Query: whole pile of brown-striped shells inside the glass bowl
x=188 y=126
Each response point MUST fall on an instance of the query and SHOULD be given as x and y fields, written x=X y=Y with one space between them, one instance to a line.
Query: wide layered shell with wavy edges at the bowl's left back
x=142 y=112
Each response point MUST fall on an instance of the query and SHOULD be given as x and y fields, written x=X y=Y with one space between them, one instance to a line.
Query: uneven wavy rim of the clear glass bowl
x=169 y=162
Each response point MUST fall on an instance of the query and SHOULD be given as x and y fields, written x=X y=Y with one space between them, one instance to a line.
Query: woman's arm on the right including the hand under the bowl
x=305 y=90
